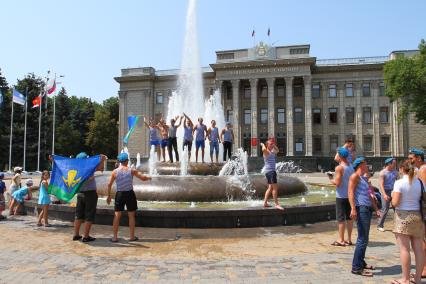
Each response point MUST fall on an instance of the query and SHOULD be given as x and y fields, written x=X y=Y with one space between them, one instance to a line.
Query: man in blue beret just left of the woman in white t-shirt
x=387 y=178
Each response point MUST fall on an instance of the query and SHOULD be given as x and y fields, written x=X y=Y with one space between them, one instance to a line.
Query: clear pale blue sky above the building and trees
x=90 y=41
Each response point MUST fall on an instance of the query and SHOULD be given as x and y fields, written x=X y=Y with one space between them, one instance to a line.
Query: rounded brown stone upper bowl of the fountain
x=205 y=188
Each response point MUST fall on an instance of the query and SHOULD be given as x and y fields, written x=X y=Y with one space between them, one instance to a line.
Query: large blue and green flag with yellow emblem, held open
x=69 y=174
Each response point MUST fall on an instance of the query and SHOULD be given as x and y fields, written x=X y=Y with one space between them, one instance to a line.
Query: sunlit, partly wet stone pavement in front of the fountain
x=290 y=254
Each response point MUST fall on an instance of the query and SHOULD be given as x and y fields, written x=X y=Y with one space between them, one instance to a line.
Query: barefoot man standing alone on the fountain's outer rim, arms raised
x=270 y=152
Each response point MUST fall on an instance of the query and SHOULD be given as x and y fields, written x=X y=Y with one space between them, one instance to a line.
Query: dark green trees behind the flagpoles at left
x=81 y=125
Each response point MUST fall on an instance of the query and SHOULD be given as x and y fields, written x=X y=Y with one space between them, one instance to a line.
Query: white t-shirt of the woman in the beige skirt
x=410 y=194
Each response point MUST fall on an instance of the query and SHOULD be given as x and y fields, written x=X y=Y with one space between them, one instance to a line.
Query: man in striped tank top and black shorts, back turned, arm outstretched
x=125 y=196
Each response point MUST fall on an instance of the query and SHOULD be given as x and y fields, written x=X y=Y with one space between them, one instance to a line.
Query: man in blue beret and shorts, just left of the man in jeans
x=343 y=208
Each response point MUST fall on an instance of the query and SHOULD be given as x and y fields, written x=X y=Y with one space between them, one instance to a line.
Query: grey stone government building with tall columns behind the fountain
x=309 y=105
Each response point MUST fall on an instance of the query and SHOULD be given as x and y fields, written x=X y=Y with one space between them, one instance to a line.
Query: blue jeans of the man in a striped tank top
x=363 y=225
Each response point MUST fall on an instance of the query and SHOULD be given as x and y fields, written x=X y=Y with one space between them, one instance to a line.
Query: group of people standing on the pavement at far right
x=401 y=188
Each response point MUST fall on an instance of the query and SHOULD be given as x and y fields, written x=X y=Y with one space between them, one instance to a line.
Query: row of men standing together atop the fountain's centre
x=163 y=137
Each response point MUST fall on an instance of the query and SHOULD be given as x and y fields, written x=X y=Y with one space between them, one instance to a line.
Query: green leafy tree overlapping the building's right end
x=405 y=80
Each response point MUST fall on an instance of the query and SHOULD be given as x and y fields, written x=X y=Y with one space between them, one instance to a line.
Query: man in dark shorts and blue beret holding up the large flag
x=87 y=200
